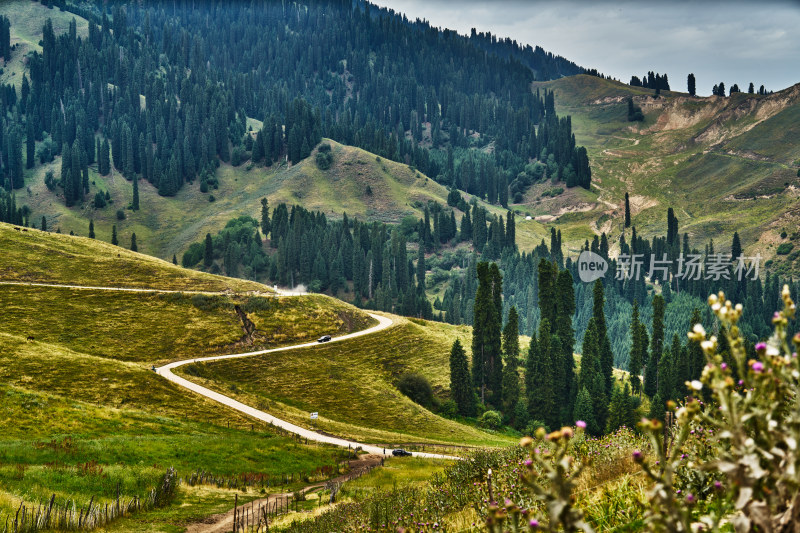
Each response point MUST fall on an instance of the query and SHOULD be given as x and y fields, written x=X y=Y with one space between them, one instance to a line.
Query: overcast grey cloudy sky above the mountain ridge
x=733 y=41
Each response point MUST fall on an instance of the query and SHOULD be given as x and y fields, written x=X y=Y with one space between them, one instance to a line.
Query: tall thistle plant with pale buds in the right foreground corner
x=755 y=427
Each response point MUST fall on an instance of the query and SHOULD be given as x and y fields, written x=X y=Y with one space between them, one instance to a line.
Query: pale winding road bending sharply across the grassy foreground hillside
x=166 y=371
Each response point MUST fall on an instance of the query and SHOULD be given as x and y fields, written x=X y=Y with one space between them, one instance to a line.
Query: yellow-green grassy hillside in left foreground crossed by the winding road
x=83 y=413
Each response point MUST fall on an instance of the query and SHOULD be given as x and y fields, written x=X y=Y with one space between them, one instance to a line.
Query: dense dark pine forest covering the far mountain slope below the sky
x=160 y=93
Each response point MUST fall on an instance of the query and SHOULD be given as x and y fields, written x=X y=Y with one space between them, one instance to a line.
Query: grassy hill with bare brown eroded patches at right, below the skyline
x=724 y=164
